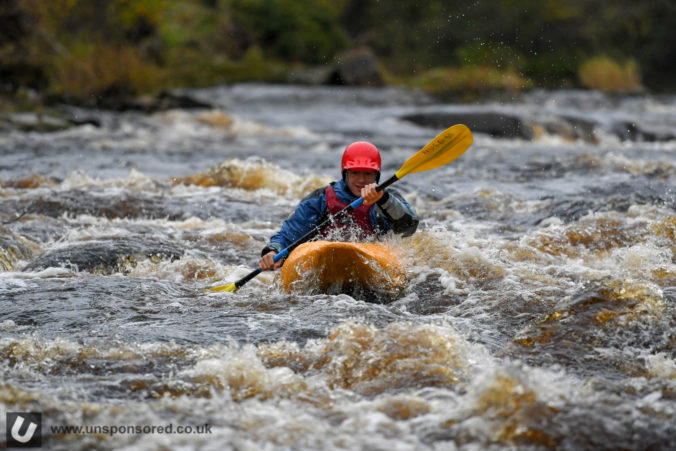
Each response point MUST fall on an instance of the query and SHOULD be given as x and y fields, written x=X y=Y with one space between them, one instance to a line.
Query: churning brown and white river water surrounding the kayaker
x=539 y=310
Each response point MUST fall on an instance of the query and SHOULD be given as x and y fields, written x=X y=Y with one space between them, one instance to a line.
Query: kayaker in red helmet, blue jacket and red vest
x=380 y=212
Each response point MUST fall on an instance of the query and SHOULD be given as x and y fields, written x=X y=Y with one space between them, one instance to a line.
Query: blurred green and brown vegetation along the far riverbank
x=86 y=50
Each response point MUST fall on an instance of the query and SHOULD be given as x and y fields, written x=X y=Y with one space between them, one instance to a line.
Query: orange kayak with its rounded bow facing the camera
x=340 y=267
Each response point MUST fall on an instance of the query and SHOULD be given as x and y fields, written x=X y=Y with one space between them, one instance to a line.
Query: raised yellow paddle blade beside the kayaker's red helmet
x=446 y=147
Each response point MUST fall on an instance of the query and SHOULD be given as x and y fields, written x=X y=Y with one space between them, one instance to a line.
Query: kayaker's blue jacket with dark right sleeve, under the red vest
x=391 y=212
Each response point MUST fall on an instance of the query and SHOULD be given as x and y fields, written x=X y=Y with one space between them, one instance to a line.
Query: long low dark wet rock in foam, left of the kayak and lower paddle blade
x=106 y=255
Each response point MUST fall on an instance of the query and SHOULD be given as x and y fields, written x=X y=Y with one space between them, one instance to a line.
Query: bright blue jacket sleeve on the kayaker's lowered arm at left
x=305 y=218
